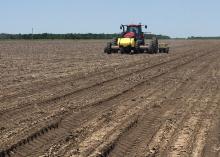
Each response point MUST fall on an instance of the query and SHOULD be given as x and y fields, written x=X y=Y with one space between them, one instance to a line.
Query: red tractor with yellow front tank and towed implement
x=132 y=40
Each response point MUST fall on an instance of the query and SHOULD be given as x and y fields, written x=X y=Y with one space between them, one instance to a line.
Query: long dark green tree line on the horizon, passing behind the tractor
x=70 y=36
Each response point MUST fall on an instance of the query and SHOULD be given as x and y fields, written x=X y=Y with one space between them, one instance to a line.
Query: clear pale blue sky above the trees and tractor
x=176 y=18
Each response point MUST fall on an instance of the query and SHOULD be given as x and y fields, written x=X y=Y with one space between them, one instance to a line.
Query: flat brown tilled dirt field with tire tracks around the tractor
x=68 y=98
